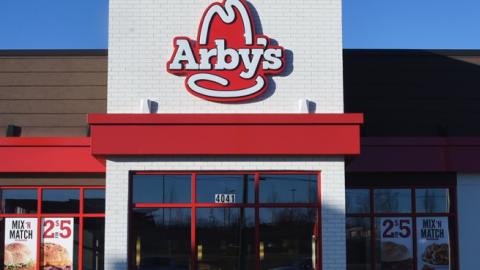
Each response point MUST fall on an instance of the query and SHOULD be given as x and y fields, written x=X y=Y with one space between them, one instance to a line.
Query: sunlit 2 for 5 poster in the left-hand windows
x=57 y=243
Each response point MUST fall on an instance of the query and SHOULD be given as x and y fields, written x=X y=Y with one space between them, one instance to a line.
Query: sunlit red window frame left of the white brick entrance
x=39 y=215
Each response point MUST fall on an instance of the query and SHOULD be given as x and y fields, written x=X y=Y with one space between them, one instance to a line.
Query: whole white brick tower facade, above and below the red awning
x=140 y=44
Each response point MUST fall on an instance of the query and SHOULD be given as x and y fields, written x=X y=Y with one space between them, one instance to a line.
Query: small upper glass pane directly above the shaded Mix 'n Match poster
x=432 y=200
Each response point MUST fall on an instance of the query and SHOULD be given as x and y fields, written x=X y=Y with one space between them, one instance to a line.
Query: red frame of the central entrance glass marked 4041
x=193 y=205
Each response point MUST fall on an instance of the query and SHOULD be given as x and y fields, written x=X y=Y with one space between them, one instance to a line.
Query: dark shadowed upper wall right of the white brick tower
x=414 y=92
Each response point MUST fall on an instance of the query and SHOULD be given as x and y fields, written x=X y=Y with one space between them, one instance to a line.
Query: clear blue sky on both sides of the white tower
x=421 y=24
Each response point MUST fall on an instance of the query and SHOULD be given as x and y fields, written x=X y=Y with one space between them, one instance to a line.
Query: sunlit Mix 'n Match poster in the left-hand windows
x=20 y=243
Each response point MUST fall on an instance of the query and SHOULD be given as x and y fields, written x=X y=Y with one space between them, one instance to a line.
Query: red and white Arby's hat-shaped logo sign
x=228 y=62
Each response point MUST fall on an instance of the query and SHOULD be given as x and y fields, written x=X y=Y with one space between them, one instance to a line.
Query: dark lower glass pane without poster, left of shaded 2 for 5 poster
x=358 y=243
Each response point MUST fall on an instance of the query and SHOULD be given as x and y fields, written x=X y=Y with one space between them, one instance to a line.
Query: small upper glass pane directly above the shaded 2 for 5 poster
x=393 y=200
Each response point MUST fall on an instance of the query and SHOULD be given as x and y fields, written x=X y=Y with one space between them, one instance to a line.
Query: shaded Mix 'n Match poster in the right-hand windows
x=433 y=249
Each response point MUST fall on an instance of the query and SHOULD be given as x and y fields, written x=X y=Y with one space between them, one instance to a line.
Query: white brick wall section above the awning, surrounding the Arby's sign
x=141 y=42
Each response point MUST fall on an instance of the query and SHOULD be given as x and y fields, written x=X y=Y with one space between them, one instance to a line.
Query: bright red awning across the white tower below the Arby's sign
x=225 y=134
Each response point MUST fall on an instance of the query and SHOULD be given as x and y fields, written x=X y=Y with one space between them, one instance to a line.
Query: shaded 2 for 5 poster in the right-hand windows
x=396 y=243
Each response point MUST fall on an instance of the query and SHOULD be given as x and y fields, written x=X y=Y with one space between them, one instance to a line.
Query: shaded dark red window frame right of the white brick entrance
x=413 y=214
